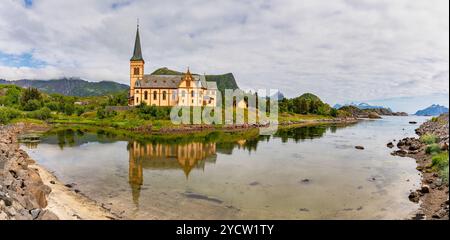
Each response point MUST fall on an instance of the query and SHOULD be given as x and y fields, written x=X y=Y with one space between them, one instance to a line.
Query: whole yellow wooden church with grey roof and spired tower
x=167 y=90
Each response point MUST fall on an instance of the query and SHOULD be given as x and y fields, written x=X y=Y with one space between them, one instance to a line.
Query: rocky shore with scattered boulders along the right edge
x=433 y=194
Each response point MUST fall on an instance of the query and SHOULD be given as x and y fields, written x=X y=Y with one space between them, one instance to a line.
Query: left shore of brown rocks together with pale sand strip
x=30 y=192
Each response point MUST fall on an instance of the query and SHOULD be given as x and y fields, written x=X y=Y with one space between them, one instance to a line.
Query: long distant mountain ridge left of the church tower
x=71 y=86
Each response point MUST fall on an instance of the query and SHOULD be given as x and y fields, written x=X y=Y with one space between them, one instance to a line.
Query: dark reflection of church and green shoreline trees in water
x=187 y=156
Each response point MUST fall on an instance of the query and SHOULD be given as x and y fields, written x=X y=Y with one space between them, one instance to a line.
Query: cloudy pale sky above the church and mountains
x=341 y=50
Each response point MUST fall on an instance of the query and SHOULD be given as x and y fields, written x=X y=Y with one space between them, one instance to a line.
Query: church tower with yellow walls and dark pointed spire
x=136 y=66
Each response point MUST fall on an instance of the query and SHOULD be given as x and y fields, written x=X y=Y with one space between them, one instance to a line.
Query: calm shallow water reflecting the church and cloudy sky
x=299 y=173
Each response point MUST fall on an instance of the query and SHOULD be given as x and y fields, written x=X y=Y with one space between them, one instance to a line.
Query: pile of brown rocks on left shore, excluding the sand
x=23 y=195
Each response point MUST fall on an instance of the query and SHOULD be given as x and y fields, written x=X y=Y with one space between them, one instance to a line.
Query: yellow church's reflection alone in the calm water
x=162 y=156
